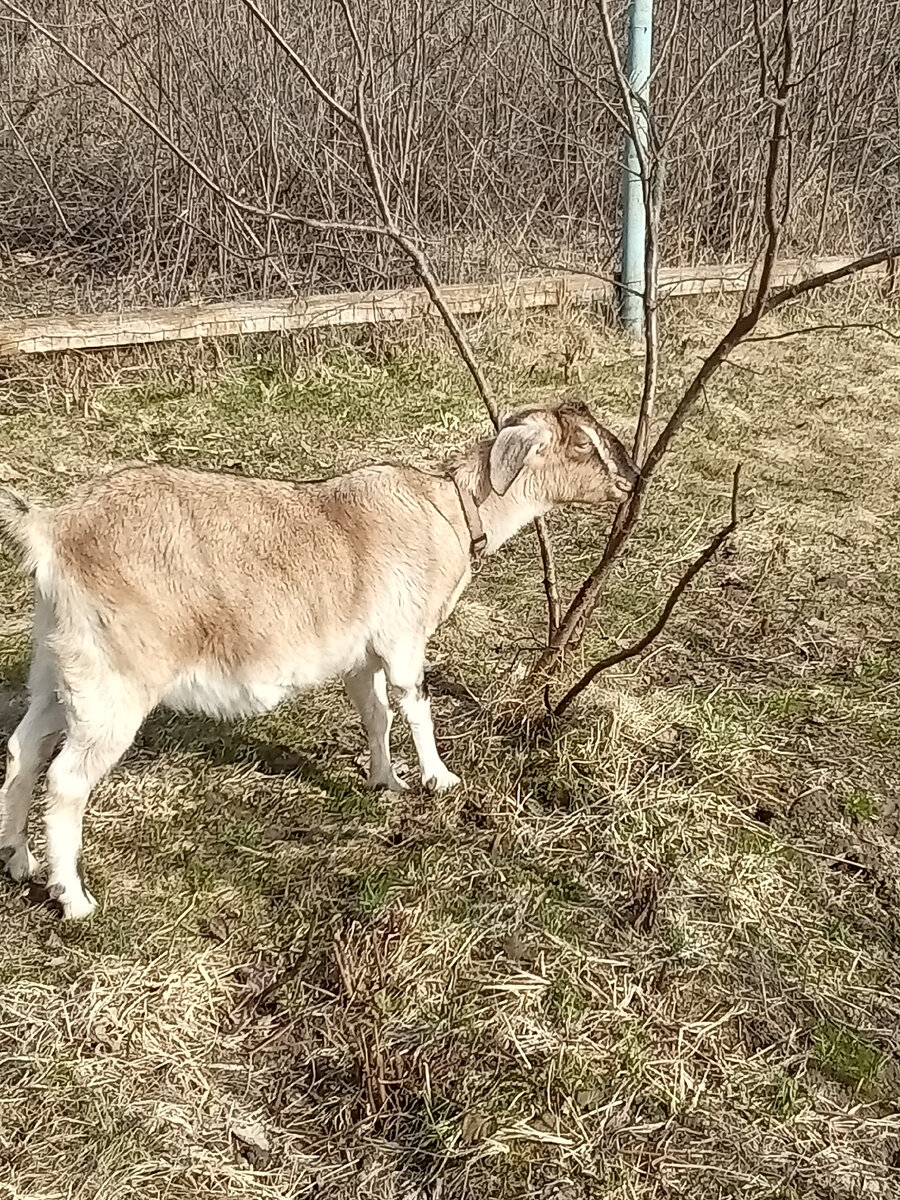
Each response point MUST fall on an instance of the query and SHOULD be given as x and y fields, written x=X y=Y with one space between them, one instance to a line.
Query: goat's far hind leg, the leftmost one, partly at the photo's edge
x=29 y=751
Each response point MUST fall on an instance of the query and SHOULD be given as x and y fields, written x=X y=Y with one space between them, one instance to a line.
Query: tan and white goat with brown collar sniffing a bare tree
x=226 y=595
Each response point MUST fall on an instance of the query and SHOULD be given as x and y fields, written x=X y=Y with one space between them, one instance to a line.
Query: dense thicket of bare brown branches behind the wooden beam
x=494 y=121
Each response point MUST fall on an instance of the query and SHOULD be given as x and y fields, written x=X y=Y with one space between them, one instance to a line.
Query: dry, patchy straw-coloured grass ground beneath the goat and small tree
x=647 y=952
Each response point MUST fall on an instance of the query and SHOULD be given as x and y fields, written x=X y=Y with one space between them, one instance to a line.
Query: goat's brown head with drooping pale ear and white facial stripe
x=562 y=454
